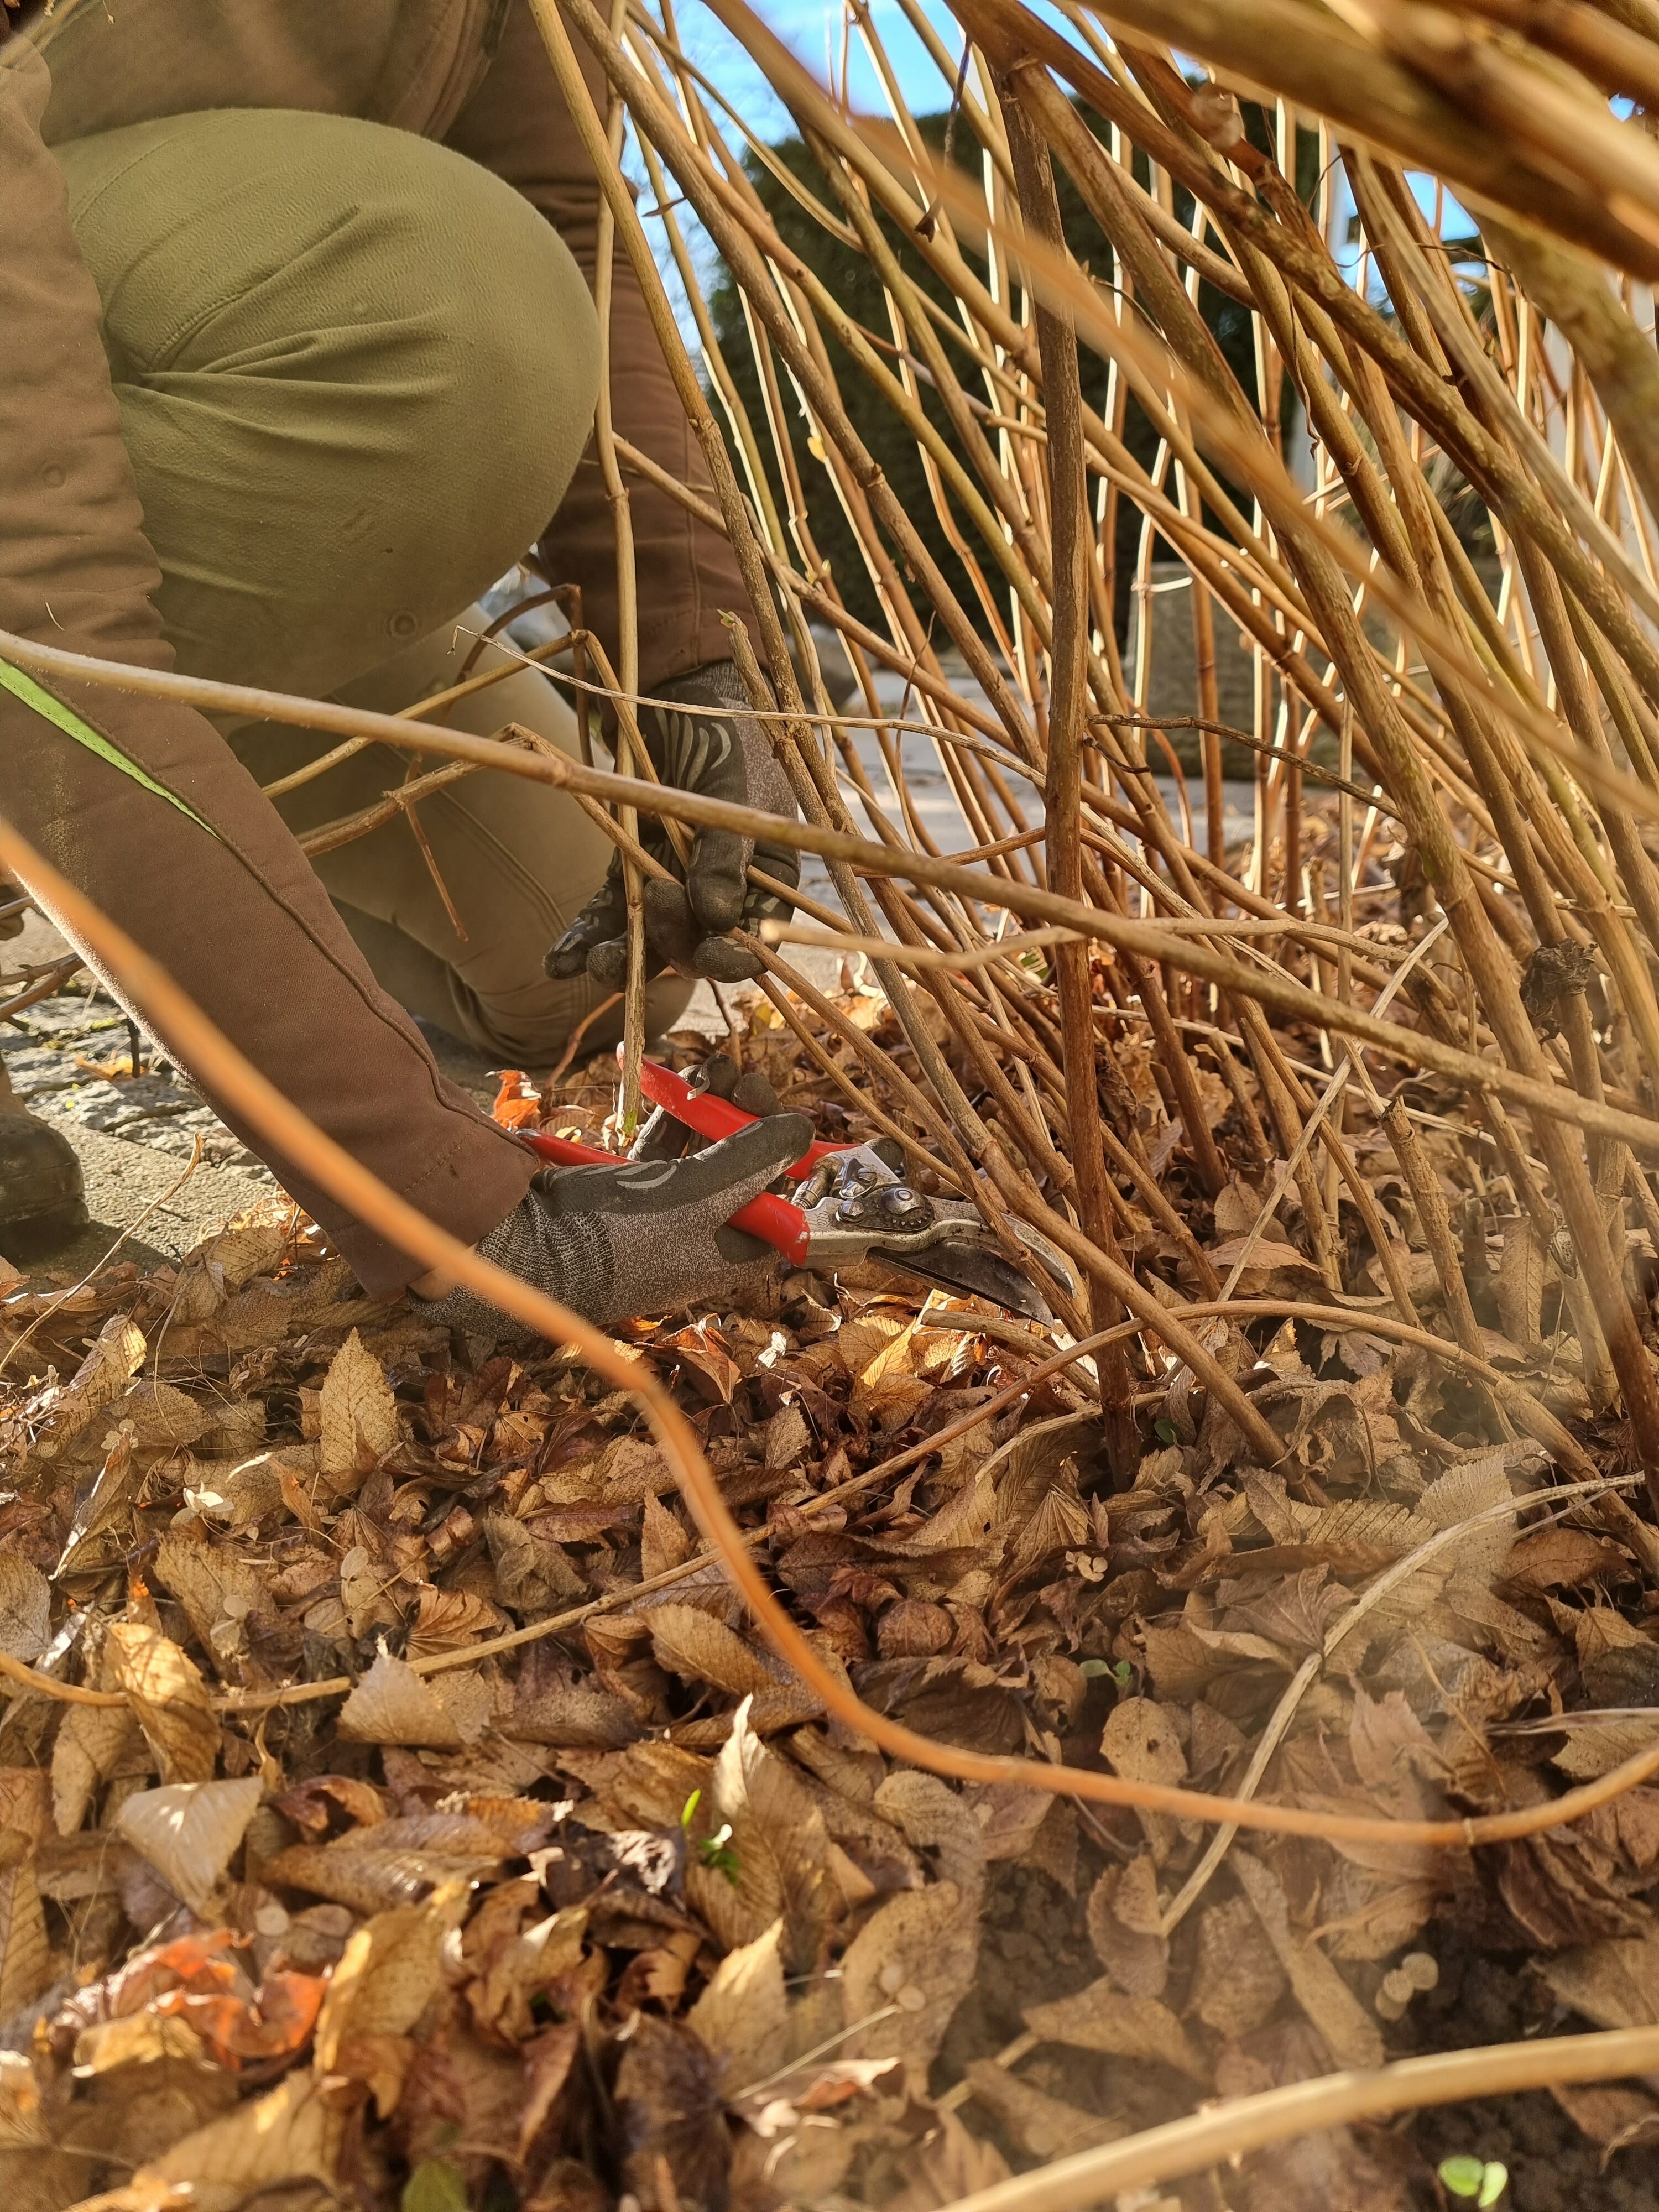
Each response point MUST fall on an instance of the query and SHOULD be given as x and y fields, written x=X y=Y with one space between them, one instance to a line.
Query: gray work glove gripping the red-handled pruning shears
x=640 y=1240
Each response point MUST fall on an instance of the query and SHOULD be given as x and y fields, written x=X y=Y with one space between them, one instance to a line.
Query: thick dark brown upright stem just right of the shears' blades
x=1063 y=784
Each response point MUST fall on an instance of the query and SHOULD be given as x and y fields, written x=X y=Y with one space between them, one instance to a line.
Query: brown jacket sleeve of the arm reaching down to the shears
x=194 y=862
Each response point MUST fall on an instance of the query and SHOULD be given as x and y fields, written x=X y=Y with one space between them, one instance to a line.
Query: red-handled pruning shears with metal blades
x=851 y=1204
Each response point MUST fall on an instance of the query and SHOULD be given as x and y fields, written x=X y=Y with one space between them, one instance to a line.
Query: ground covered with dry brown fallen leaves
x=424 y=1824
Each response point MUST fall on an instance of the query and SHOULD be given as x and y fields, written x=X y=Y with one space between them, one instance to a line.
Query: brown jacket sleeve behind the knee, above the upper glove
x=519 y=127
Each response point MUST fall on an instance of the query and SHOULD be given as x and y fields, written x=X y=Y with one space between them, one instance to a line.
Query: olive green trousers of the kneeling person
x=331 y=348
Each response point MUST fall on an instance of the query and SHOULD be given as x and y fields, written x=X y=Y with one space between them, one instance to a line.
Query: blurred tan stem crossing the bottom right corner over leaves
x=1224 y=2133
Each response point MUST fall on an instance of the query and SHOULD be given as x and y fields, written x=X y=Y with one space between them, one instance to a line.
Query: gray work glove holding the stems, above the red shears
x=722 y=758
